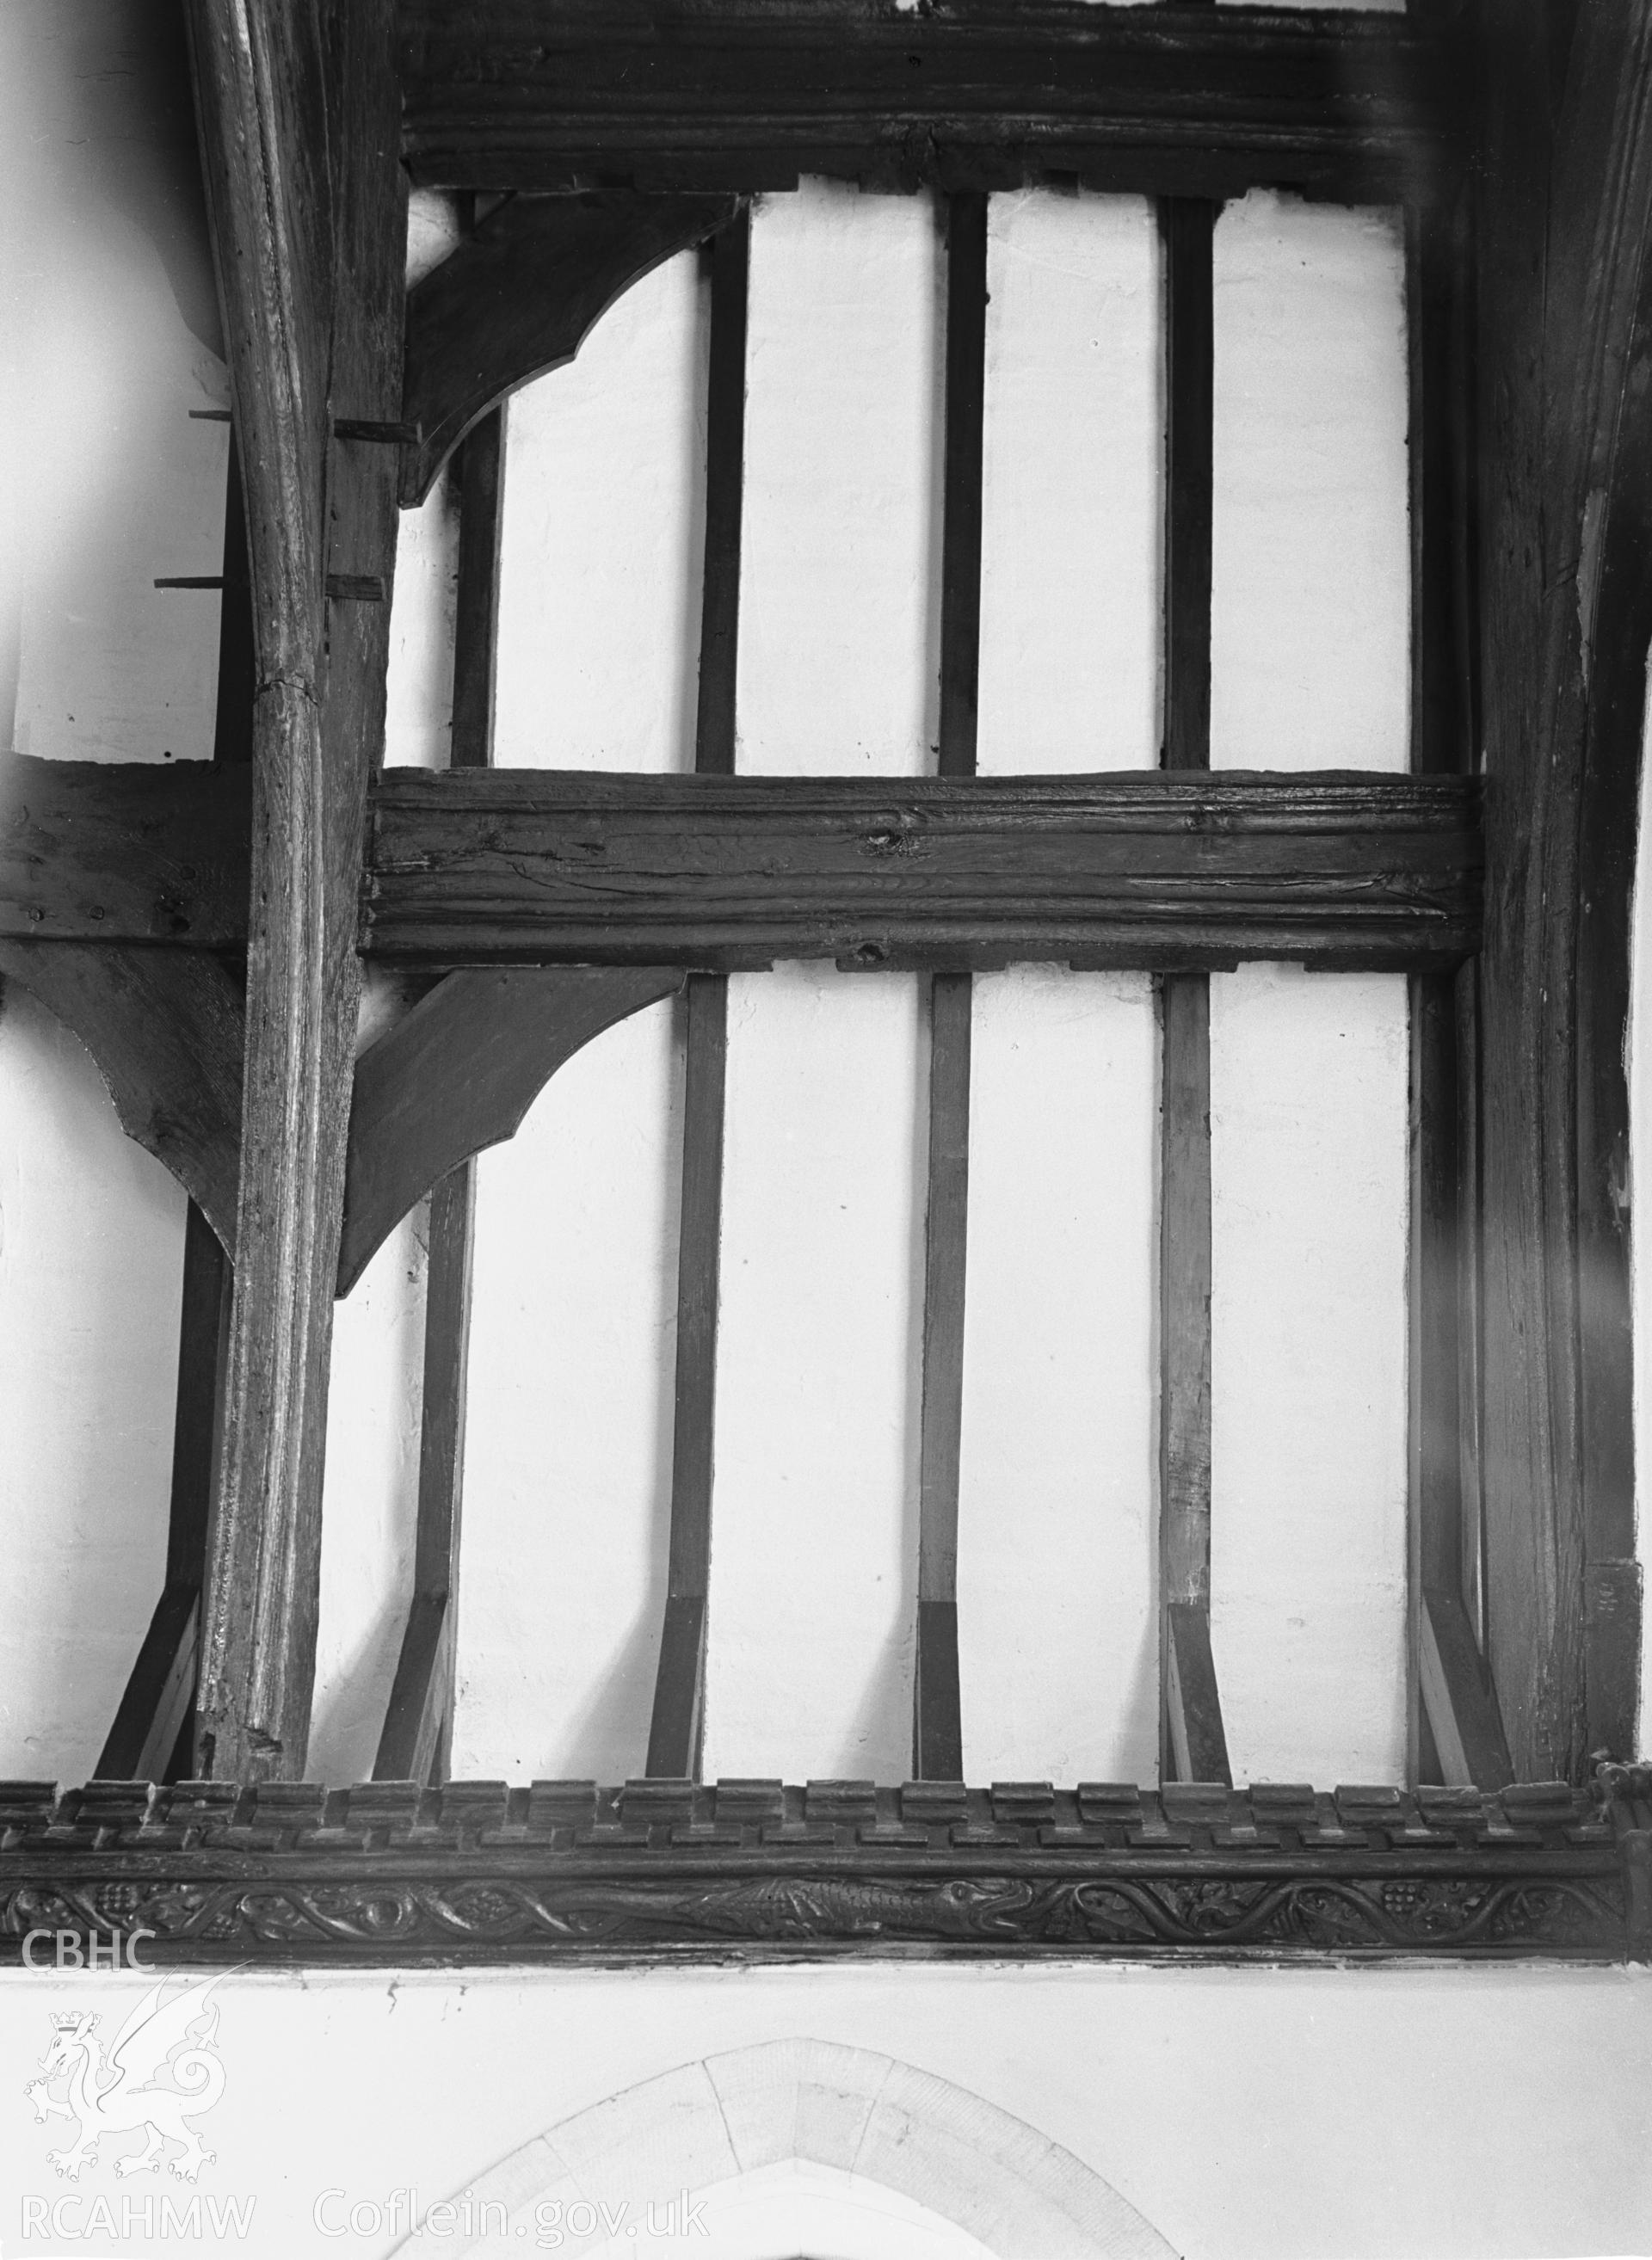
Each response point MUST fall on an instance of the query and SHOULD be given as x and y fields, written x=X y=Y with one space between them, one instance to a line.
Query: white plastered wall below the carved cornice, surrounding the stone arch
x=1490 y=2114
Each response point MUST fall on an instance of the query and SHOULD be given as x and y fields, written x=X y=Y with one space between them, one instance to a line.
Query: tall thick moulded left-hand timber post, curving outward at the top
x=299 y=132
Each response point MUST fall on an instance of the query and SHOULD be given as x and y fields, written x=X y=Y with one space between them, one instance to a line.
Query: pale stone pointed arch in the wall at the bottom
x=844 y=2110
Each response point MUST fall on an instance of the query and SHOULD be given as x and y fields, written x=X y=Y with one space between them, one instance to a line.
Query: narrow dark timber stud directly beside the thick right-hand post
x=1454 y=1726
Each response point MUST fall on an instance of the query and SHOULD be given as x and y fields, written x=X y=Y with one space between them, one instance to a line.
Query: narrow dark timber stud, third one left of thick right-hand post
x=937 y=1698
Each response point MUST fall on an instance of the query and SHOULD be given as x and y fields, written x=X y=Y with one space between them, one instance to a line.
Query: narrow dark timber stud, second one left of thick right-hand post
x=1192 y=1739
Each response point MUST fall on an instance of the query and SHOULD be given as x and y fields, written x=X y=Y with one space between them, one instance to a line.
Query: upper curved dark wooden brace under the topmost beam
x=521 y=297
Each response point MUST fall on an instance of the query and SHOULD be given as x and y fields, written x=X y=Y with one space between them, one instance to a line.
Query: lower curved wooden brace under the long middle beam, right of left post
x=462 y=1072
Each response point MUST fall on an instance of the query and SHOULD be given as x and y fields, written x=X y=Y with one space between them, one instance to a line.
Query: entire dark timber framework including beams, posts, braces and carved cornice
x=1497 y=876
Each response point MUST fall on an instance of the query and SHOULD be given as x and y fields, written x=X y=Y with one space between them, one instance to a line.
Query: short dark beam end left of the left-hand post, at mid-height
x=123 y=853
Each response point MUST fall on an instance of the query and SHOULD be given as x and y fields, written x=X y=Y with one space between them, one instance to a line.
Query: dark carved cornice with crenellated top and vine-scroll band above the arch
x=666 y=1870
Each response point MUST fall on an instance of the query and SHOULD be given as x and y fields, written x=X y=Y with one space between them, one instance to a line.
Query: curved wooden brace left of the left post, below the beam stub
x=166 y=1029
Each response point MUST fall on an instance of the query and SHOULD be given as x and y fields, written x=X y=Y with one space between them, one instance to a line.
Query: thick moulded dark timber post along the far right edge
x=1563 y=214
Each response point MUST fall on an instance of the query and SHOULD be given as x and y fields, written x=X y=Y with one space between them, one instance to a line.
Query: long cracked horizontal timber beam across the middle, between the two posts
x=1145 y=869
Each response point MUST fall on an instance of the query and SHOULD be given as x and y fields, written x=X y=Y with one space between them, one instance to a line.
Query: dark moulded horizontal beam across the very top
x=986 y=94
